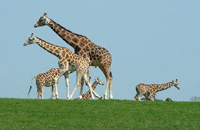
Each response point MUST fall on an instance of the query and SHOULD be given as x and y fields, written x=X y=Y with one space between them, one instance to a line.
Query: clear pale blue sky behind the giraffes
x=150 y=41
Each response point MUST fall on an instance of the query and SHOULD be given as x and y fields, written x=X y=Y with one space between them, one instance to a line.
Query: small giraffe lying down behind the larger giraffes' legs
x=87 y=95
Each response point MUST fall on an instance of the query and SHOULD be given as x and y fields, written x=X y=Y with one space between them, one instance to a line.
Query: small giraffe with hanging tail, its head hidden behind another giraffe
x=49 y=78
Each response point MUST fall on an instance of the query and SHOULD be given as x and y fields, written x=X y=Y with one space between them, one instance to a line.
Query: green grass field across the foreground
x=28 y=114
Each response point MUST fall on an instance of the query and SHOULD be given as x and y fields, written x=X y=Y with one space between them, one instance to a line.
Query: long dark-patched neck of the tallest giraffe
x=71 y=38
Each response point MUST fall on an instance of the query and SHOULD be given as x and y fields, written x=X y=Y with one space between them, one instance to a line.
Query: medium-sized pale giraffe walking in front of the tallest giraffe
x=68 y=62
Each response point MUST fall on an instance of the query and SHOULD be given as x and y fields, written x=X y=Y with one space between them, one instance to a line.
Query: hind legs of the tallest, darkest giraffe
x=108 y=76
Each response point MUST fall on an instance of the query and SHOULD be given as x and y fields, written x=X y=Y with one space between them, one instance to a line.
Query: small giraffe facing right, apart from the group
x=150 y=90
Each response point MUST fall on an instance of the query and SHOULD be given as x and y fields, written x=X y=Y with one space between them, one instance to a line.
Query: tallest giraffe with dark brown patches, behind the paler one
x=96 y=55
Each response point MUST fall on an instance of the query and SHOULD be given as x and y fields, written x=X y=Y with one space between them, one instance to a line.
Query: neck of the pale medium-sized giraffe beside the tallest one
x=55 y=50
